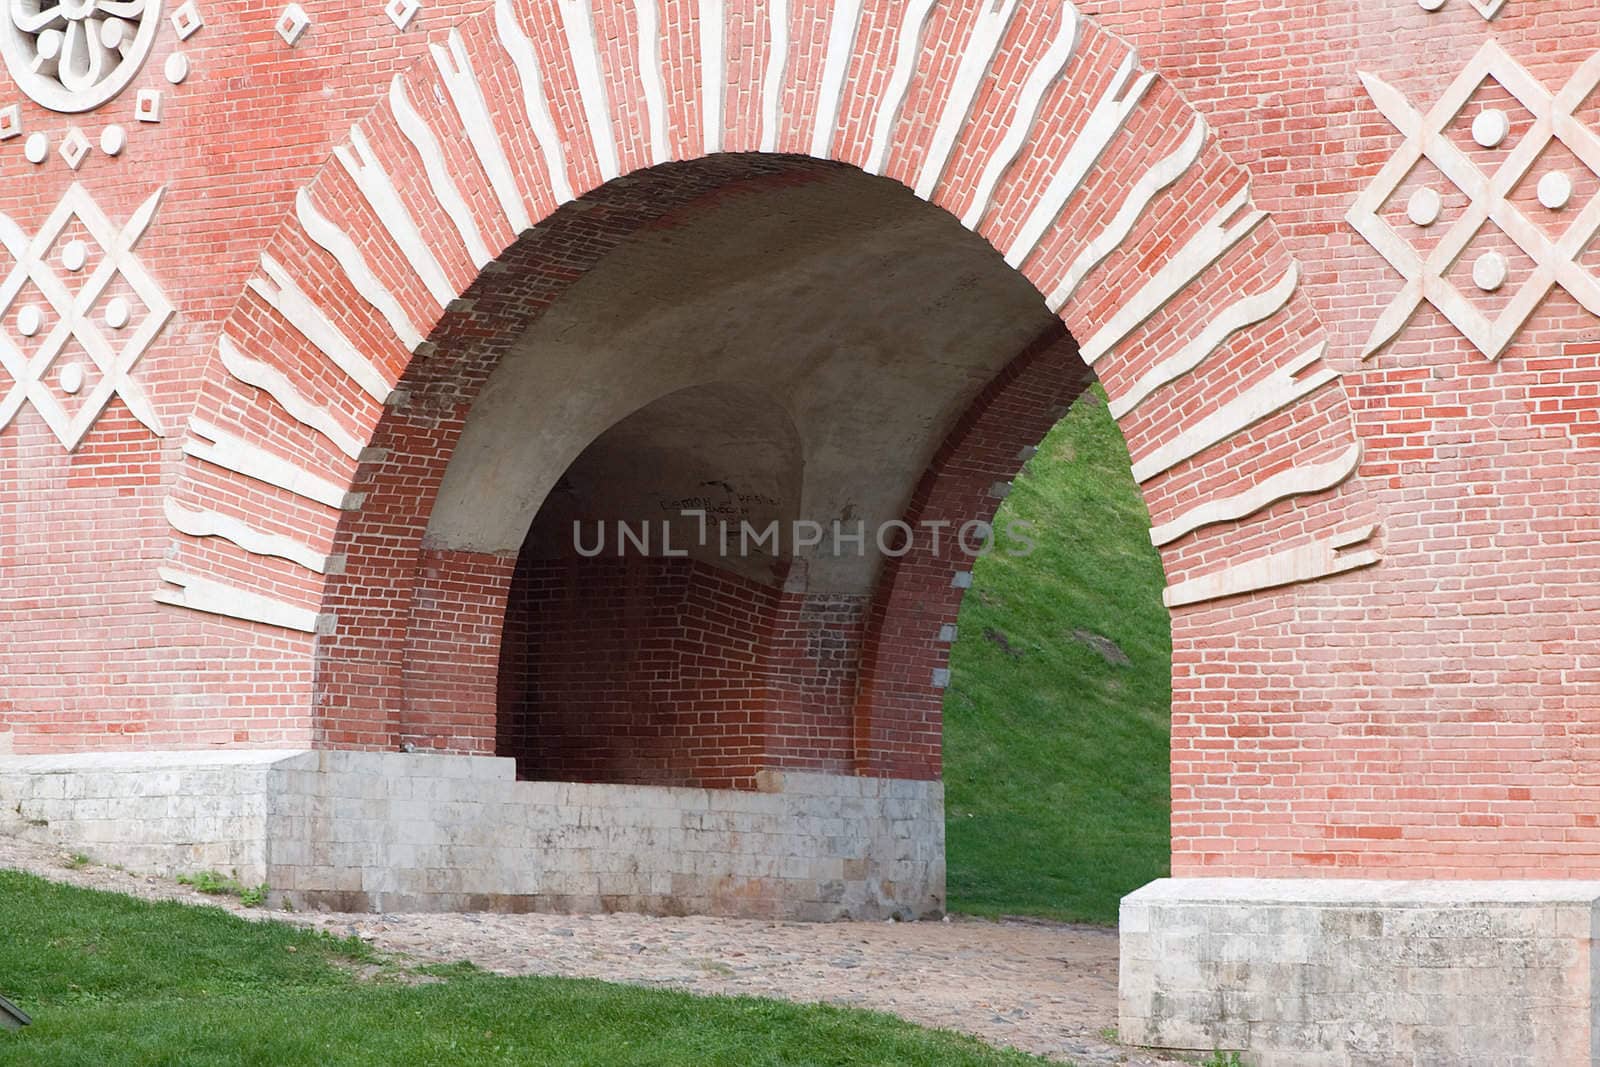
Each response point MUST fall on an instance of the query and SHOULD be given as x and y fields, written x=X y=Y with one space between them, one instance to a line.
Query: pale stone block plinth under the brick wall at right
x=1345 y=973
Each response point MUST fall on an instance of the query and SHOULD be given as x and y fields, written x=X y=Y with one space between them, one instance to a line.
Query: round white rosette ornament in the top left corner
x=76 y=55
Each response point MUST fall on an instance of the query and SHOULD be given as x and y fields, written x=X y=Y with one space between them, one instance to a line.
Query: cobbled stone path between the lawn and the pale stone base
x=1042 y=988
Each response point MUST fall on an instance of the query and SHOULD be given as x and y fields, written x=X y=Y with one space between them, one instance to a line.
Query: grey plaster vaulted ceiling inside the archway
x=846 y=306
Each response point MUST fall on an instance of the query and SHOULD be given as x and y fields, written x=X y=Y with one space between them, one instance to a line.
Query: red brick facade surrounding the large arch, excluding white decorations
x=1431 y=716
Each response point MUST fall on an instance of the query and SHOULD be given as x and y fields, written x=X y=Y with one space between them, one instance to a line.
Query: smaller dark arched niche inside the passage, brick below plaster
x=638 y=645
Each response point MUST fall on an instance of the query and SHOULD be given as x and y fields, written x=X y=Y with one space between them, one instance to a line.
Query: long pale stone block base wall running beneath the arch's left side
x=364 y=831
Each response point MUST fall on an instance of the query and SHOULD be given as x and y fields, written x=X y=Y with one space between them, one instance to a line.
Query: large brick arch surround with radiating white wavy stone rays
x=1098 y=183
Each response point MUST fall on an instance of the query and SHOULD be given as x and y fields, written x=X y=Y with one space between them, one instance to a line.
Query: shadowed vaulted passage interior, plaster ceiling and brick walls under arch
x=791 y=353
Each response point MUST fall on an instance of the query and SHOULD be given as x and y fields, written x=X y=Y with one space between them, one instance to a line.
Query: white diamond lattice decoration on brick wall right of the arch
x=1489 y=193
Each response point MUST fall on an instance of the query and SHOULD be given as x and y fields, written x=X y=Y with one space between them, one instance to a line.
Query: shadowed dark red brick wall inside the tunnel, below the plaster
x=671 y=673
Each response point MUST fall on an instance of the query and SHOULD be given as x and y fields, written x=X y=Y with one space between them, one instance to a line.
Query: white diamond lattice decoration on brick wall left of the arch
x=76 y=305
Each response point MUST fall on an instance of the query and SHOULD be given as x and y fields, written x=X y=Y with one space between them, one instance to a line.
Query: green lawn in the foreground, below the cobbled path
x=111 y=980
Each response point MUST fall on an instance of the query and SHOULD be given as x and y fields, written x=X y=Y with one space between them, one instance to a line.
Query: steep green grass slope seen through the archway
x=1057 y=759
